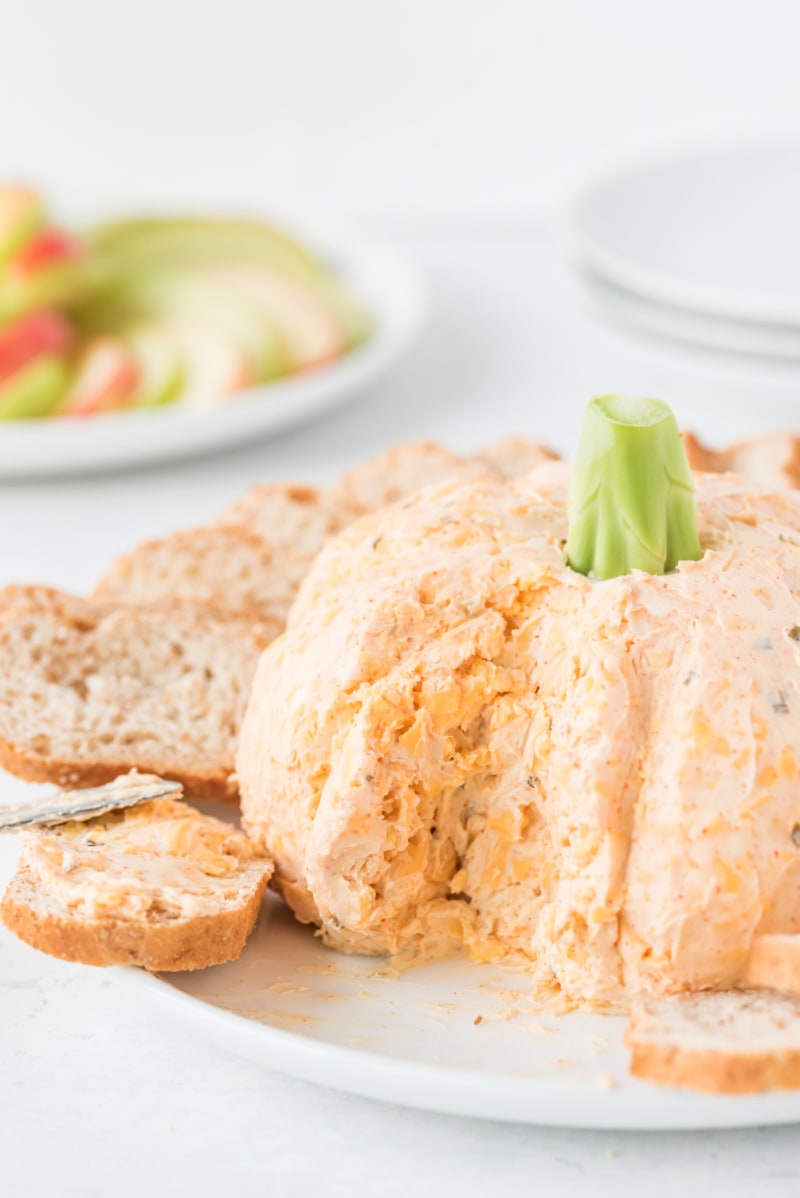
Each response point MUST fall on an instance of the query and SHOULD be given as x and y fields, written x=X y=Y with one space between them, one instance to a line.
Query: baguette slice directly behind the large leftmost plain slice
x=227 y=566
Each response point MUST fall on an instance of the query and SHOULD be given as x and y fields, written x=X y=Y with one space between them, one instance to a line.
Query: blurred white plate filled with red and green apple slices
x=153 y=336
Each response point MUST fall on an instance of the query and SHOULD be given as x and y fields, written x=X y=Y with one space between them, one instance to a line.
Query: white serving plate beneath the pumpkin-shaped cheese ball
x=450 y=1037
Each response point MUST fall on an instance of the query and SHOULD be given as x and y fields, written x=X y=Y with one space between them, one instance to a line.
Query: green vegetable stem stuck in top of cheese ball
x=632 y=504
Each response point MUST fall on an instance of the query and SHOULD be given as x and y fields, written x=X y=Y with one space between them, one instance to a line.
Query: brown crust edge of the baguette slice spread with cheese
x=160 y=947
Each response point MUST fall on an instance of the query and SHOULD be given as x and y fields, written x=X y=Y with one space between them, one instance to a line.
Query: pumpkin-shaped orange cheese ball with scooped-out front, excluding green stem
x=460 y=740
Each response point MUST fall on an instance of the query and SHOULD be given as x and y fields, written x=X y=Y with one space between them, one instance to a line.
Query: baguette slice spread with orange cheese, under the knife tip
x=157 y=886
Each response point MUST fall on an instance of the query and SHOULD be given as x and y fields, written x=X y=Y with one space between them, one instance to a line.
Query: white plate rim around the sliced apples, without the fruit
x=377 y=274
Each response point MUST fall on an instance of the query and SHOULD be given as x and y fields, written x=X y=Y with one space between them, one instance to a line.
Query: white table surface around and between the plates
x=101 y=1096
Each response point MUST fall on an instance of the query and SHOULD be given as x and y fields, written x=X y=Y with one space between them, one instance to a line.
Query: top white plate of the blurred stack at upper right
x=716 y=232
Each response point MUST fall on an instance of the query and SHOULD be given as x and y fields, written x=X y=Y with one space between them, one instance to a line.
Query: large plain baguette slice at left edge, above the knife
x=162 y=689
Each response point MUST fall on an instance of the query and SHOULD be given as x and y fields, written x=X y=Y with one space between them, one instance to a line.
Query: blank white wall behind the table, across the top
x=417 y=107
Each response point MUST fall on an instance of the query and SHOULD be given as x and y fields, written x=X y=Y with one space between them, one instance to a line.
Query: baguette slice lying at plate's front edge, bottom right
x=722 y=1043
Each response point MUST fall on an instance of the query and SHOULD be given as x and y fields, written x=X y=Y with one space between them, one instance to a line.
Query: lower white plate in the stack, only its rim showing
x=627 y=307
